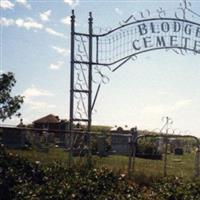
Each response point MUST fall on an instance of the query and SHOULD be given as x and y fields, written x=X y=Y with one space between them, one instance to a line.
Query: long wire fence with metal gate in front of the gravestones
x=143 y=155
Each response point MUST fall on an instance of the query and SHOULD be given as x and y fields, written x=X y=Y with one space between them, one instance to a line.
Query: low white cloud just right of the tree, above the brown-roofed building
x=35 y=92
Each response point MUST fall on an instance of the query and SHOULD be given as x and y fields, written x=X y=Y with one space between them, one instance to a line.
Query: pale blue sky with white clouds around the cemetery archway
x=35 y=45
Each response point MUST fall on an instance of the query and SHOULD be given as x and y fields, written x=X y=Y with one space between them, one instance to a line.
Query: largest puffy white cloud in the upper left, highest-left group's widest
x=28 y=23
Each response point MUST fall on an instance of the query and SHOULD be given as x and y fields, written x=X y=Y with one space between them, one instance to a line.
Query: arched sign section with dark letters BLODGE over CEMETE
x=165 y=33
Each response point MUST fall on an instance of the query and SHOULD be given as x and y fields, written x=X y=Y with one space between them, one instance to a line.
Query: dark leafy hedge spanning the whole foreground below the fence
x=20 y=179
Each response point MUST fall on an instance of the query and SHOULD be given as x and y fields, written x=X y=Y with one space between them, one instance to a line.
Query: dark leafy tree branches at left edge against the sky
x=9 y=105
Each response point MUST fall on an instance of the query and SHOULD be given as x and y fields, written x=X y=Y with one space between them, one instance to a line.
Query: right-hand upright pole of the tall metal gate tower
x=90 y=21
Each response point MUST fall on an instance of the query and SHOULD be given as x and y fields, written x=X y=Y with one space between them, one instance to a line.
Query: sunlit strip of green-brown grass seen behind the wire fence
x=182 y=166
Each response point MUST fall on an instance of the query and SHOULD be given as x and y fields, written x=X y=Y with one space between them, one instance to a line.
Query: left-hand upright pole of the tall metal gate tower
x=71 y=117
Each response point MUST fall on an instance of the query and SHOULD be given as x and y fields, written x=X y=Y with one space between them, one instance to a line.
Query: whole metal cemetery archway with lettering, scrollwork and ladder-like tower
x=93 y=55
